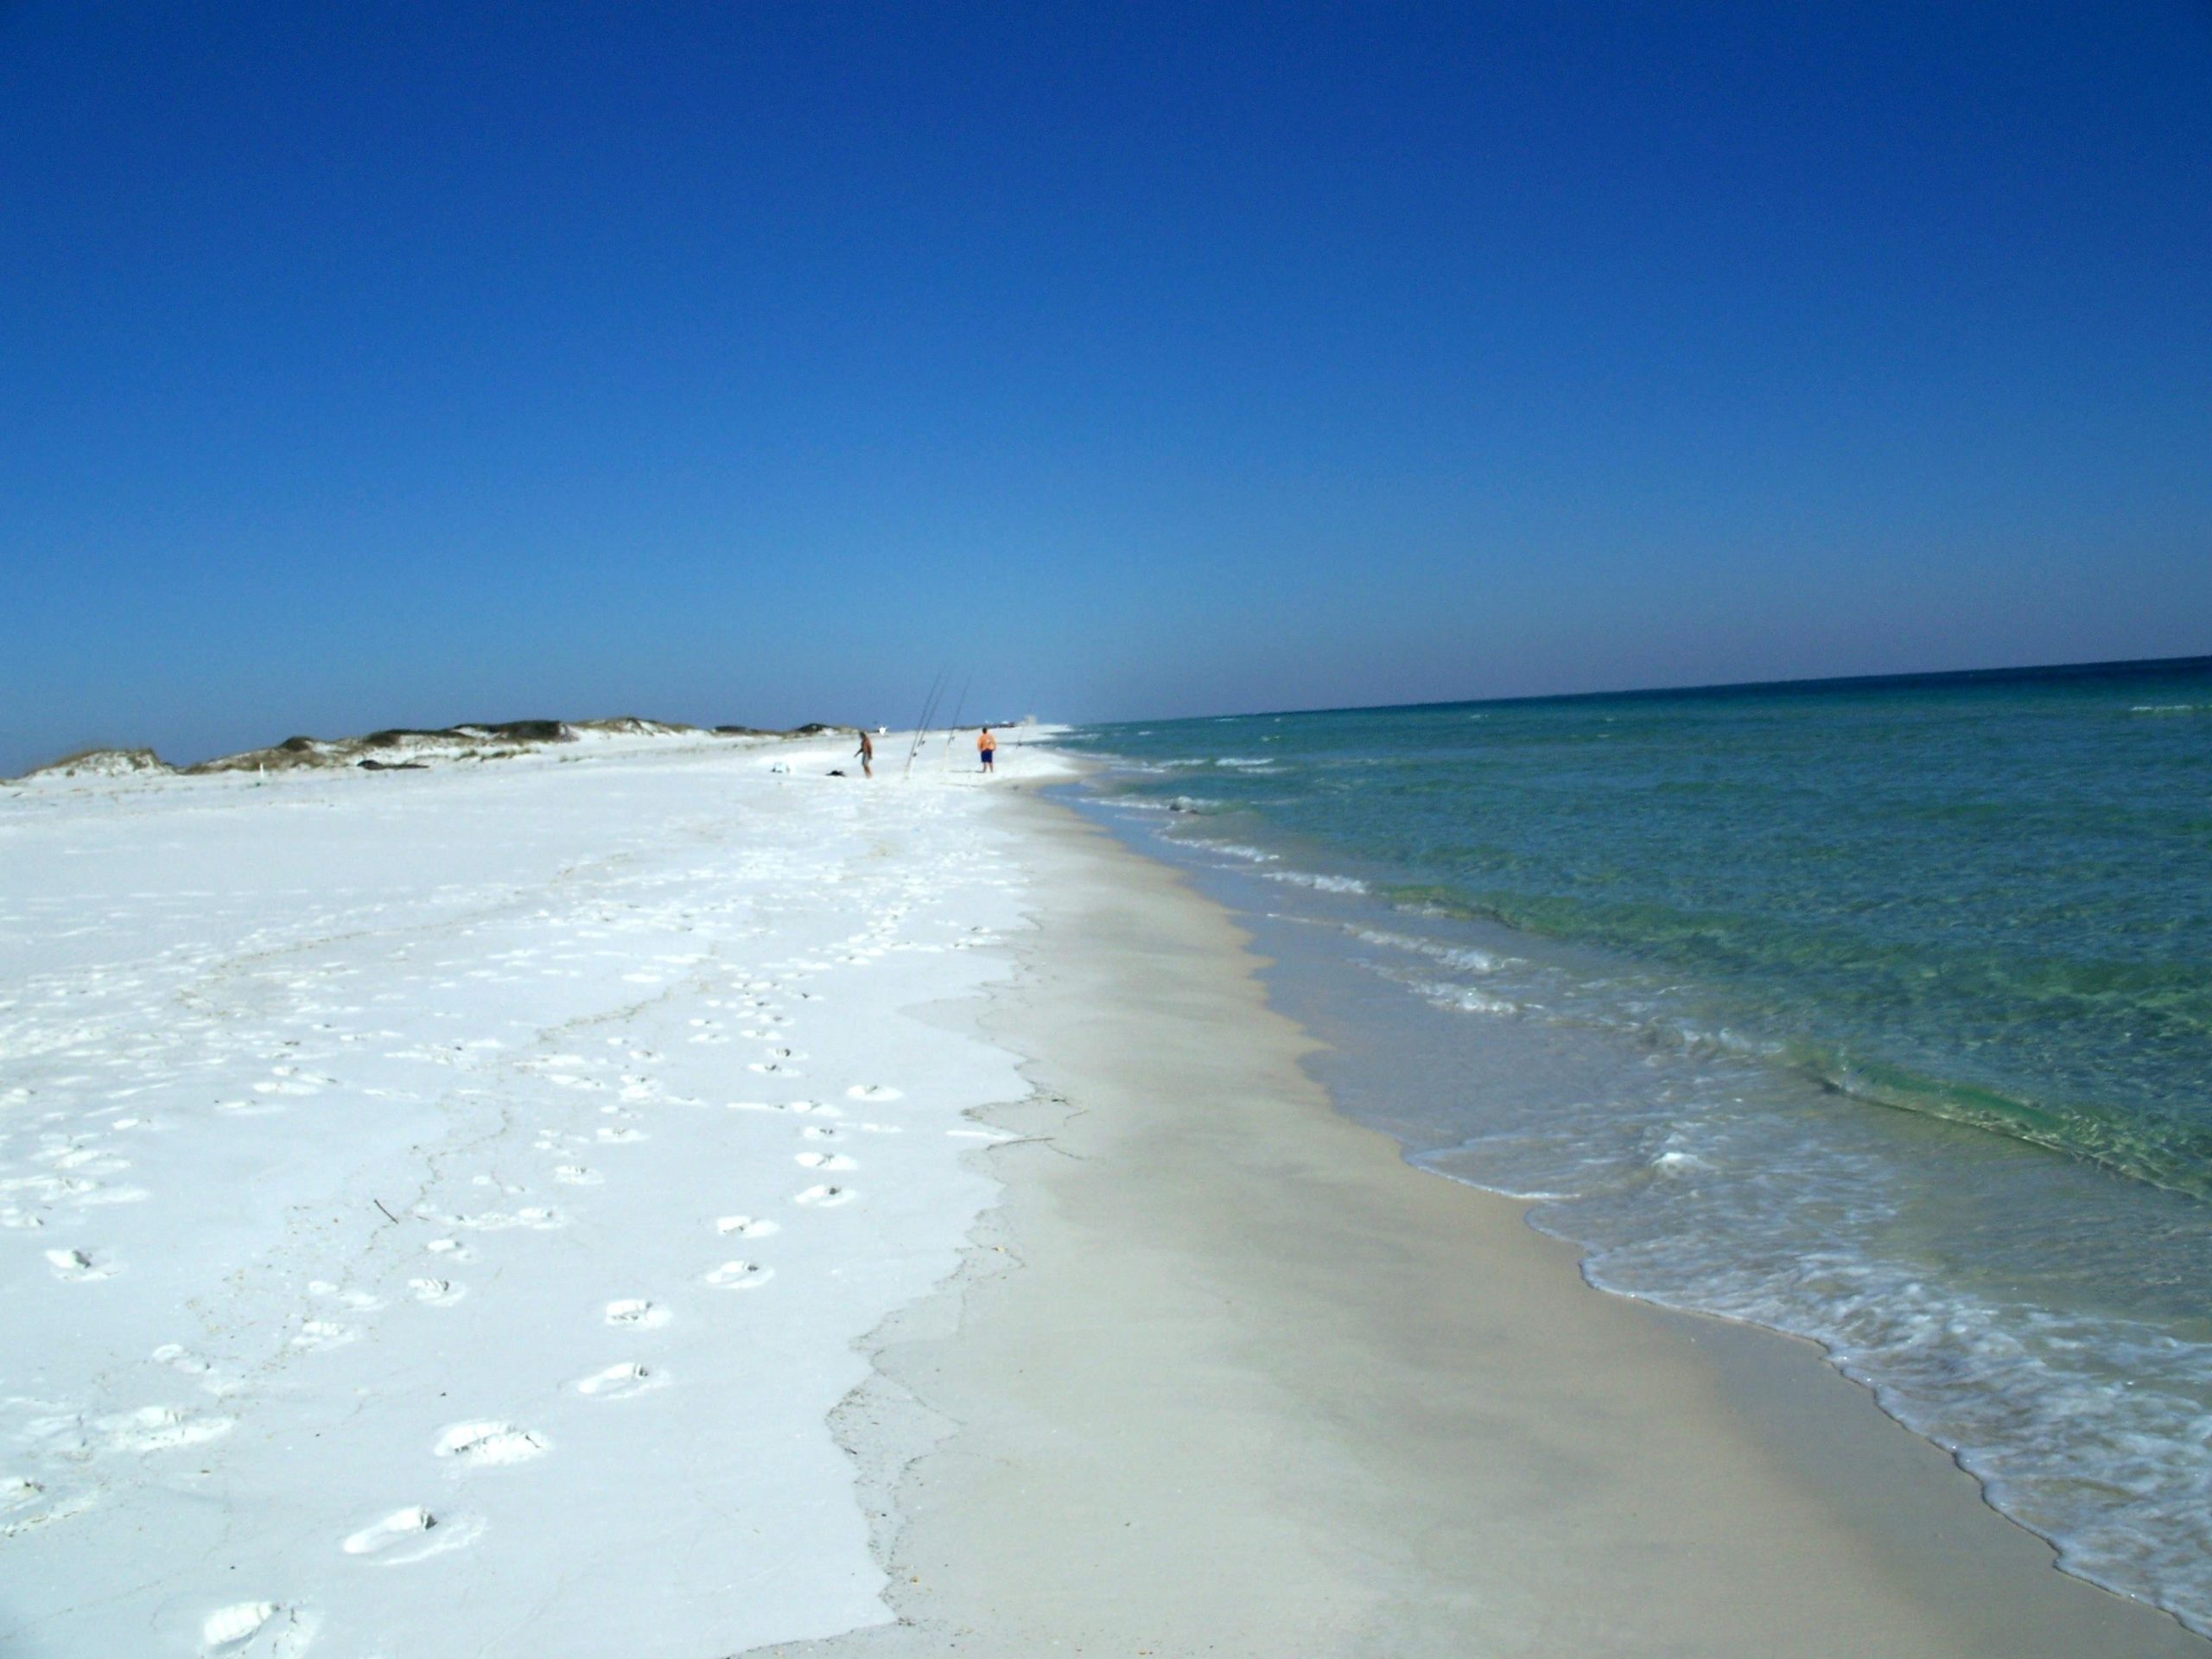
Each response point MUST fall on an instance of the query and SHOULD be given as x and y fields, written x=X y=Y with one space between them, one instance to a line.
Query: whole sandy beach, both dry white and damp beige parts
x=658 y=1204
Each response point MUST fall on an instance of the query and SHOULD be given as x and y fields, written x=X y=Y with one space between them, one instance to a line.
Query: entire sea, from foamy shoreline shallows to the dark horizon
x=1877 y=1012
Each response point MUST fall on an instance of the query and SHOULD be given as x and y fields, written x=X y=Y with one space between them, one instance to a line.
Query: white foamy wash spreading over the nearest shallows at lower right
x=1700 y=1189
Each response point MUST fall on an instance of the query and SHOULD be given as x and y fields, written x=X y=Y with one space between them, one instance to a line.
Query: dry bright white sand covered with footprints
x=439 y=1209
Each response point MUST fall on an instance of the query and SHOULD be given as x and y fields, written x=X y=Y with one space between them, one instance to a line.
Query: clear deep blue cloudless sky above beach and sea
x=408 y=364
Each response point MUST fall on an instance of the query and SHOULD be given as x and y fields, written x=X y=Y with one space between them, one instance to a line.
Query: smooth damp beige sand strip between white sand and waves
x=1227 y=1377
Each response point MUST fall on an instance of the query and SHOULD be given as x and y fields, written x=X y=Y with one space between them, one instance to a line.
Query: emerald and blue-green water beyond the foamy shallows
x=1985 y=899
